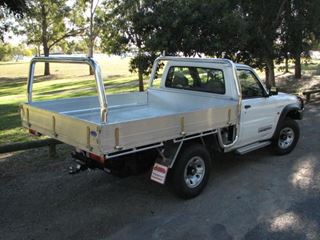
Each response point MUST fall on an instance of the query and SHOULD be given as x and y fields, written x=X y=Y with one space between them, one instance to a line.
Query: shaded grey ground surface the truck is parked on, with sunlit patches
x=257 y=196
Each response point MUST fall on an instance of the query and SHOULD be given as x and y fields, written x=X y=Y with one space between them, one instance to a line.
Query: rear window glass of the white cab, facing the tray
x=196 y=79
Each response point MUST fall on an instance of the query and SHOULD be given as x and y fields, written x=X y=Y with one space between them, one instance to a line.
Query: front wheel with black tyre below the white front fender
x=286 y=137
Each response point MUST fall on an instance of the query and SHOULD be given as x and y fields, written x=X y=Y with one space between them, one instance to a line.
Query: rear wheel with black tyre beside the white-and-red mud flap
x=191 y=171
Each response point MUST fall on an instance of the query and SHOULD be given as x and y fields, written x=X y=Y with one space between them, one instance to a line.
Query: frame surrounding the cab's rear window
x=196 y=90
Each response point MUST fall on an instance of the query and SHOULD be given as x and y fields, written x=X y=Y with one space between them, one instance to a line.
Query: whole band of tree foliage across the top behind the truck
x=253 y=32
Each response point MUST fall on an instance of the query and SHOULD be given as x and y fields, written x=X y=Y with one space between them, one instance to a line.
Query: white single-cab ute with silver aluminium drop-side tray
x=196 y=107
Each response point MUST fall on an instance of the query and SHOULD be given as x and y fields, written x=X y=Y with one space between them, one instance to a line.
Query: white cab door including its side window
x=258 y=113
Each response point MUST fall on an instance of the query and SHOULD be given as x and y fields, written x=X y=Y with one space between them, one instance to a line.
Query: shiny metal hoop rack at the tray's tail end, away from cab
x=70 y=59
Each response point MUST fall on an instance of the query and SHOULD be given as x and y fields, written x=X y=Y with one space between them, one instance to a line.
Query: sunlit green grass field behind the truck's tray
x=66 y=81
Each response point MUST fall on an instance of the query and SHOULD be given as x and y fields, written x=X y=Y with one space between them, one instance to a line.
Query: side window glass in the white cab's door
x=250 y=85
